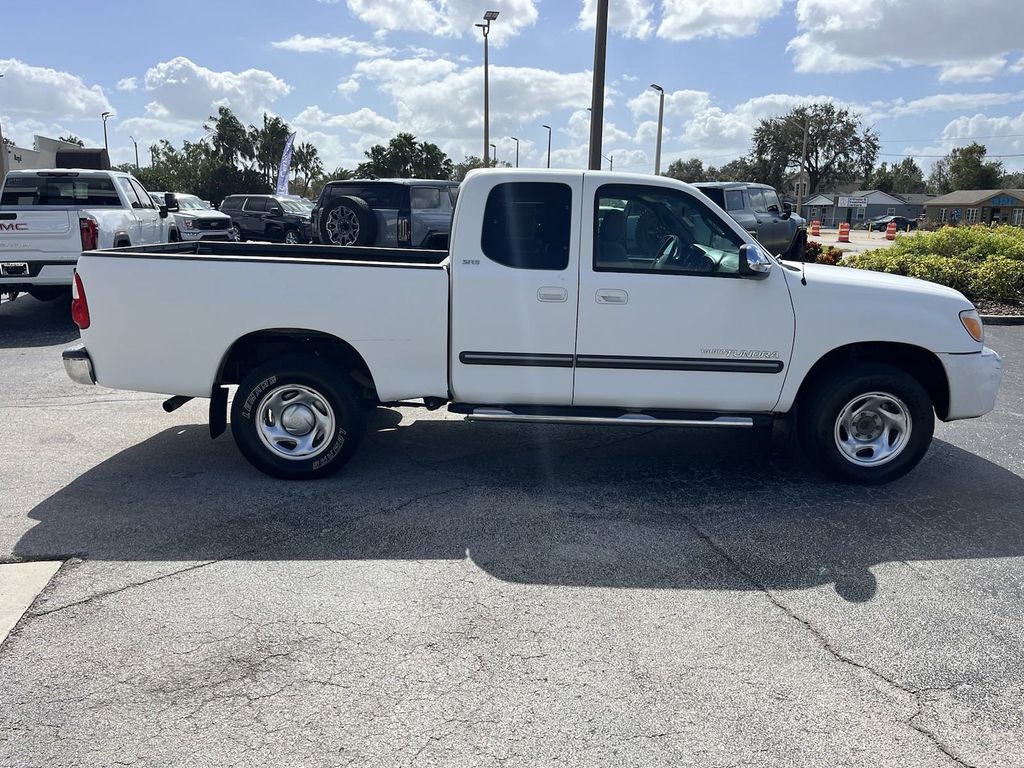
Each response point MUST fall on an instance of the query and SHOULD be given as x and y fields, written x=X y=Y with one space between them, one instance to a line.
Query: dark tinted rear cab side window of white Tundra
x=527 y=226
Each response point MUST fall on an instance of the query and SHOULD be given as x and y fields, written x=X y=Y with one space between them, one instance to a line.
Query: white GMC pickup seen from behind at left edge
x=50 y=218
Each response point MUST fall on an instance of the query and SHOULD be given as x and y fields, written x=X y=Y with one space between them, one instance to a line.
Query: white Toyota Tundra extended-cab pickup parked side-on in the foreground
x=567 y=297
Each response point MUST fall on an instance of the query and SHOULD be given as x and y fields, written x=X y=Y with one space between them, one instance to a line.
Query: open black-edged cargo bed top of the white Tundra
x=246 y=251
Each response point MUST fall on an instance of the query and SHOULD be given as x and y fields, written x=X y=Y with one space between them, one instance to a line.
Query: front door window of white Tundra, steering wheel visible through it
x=646 y=229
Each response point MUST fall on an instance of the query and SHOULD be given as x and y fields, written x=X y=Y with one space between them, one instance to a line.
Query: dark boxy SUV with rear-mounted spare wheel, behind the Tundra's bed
x=395 y=214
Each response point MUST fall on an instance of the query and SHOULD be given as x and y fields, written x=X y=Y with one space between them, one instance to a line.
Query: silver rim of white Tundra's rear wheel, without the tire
x=295 y=422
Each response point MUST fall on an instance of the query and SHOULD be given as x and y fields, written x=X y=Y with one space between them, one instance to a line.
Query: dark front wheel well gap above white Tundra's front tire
x=919 y=363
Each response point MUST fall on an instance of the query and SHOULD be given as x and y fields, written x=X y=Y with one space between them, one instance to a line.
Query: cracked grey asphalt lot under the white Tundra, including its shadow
x=486 y=595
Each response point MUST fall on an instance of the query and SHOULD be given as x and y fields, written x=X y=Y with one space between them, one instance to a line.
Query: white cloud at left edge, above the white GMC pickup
x=55 y=95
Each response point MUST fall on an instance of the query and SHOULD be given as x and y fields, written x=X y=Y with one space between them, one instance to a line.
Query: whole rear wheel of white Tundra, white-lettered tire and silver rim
x=297 y=419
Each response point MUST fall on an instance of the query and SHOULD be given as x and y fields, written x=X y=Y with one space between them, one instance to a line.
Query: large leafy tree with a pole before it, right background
x=840 y=148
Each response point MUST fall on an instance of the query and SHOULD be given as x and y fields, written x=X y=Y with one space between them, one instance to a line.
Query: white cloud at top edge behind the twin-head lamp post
x=445 y=18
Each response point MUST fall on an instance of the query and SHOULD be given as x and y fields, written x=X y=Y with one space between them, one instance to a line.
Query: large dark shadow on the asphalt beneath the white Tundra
x=628 y=508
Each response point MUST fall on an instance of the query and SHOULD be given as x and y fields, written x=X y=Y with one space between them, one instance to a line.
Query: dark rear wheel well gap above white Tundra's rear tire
x=257 y=349
